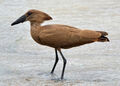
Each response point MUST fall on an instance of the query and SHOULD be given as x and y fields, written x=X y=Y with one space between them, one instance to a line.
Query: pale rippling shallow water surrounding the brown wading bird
x=25 y=63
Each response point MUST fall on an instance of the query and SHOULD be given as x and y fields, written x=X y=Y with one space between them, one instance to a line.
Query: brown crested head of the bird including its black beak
x=33 y=16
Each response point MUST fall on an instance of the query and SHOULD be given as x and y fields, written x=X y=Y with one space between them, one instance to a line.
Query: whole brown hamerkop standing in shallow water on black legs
x=58 y=36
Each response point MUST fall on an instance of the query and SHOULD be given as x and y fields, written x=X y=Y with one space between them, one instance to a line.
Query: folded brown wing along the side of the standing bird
x=62 y=36
